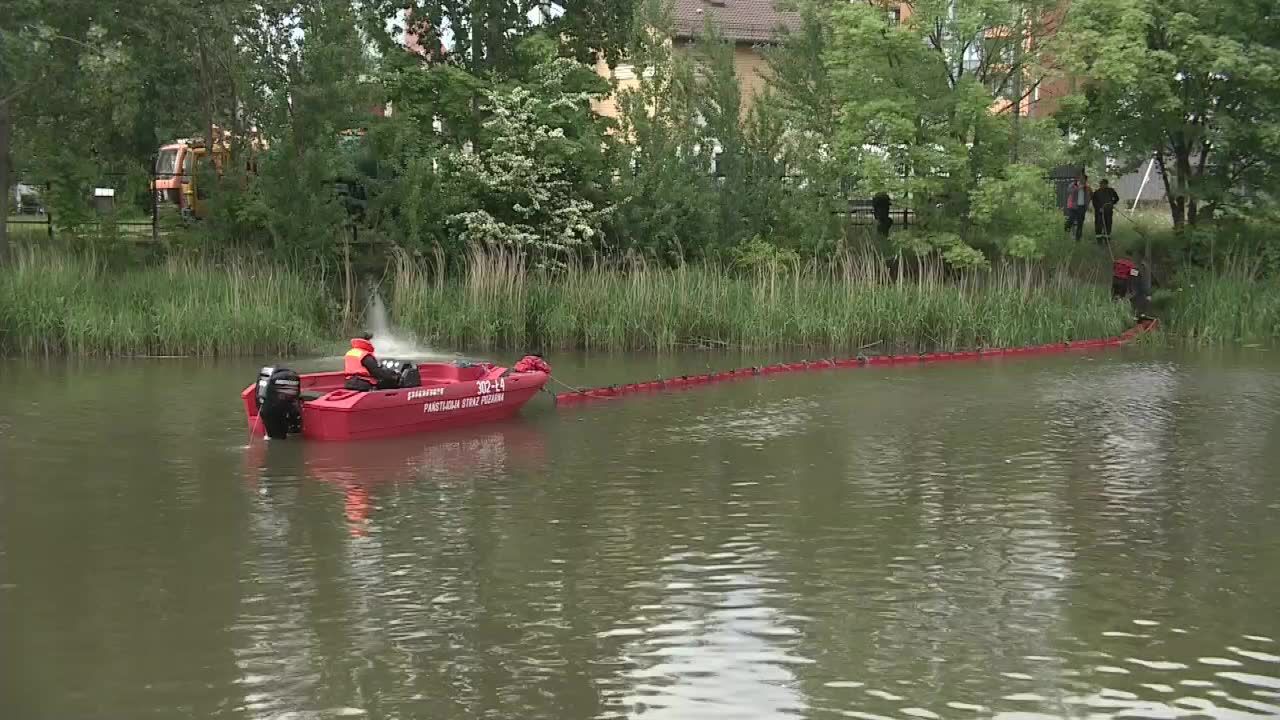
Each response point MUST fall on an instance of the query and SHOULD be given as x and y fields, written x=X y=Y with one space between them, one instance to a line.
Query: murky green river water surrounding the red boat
x=1076 y=537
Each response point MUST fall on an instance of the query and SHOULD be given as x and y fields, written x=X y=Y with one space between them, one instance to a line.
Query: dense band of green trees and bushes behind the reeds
x=495 y=145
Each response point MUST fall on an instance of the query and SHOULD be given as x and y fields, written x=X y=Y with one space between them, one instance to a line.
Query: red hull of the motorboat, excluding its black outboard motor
x=450 y=397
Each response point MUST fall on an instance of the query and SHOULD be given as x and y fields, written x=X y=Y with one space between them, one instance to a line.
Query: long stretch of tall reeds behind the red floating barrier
x=845 y=306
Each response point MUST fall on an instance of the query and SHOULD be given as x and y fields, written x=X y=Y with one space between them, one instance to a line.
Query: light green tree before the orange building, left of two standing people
x=934 y=98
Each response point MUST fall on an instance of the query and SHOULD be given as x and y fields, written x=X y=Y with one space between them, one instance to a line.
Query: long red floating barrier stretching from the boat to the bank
x=610 y=393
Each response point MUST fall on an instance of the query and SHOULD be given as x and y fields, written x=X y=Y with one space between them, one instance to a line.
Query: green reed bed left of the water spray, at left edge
x=65 y=304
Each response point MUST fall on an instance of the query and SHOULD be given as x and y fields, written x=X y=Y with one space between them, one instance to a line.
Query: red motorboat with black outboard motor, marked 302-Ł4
x=441 y=395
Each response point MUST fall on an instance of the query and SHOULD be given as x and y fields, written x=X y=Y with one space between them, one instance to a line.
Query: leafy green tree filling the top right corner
x=1196 y=85
